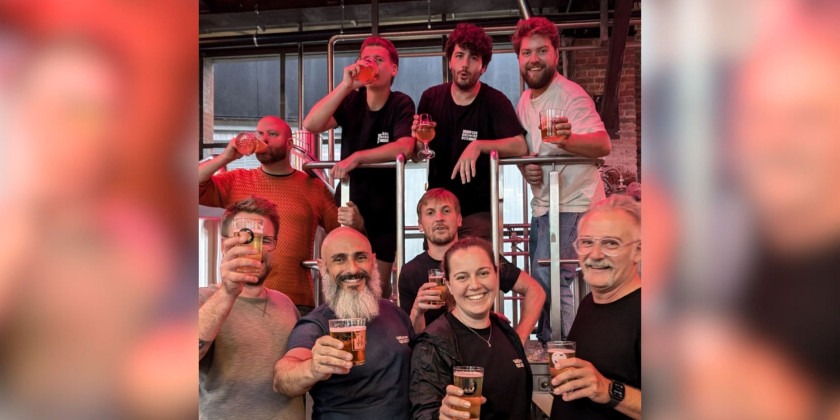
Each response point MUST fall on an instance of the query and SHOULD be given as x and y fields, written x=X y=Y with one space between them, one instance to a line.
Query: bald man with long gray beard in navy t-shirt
x=317 y=363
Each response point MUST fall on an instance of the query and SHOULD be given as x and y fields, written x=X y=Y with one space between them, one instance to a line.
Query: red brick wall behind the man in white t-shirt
x=588 y=68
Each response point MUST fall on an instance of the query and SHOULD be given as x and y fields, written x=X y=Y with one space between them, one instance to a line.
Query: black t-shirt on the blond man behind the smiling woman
x=416 y=272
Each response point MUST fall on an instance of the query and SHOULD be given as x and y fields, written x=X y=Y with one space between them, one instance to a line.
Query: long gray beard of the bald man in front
x=353 y=303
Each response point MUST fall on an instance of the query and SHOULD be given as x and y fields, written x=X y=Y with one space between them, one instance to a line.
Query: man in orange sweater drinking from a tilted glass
x=303 y=203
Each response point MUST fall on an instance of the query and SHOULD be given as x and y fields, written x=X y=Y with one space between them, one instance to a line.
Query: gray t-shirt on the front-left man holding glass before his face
x=236 y=374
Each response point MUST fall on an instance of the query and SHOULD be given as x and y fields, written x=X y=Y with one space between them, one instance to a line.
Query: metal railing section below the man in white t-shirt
x=554 y=226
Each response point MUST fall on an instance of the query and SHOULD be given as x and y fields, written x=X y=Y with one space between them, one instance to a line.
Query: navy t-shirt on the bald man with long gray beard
x=379 y=388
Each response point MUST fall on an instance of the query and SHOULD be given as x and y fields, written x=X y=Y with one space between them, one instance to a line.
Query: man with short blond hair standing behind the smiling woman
x=439 y=216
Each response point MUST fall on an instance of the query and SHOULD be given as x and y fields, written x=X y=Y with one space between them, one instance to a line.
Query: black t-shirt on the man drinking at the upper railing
x=374 y=191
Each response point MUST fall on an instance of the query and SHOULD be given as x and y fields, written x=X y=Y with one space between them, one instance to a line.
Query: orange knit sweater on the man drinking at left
x=303 y=204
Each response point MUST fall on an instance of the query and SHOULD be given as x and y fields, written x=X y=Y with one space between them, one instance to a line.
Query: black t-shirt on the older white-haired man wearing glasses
x=610 y=337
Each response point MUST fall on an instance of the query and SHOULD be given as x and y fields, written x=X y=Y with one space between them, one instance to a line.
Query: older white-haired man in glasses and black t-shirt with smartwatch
x=604 y=380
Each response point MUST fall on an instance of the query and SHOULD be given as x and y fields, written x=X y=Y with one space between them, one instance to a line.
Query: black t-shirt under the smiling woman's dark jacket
x=504 y=371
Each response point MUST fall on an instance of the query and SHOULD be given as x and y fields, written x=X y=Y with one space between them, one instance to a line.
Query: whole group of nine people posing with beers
x=250 y=322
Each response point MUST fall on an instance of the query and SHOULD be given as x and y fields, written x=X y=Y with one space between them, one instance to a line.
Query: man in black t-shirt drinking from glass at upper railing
x=376 y=127
